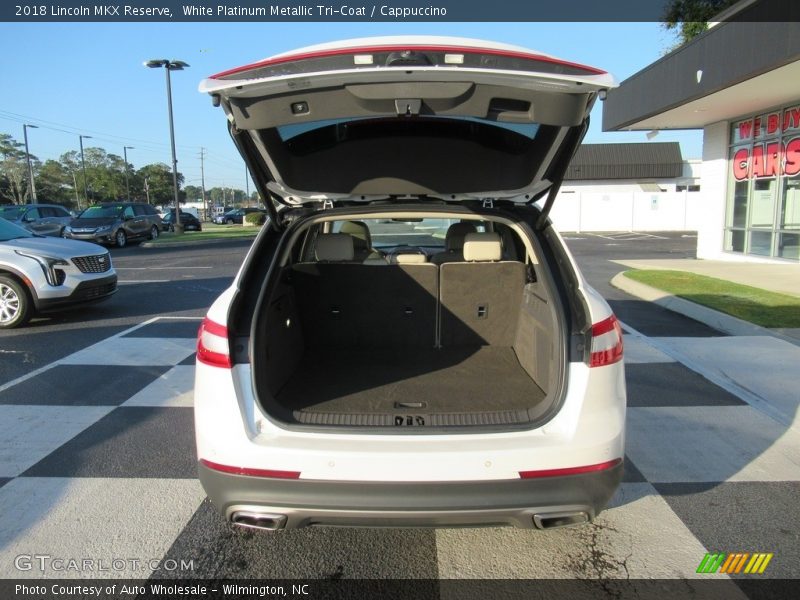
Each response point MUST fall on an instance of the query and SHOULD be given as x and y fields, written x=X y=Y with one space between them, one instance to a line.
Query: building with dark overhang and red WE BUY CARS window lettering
x=740 y=83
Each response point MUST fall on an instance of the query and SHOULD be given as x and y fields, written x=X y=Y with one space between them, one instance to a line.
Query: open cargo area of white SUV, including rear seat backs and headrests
x=463 y=343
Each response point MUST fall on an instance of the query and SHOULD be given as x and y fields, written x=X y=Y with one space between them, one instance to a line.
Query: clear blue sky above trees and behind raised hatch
x=88 y=78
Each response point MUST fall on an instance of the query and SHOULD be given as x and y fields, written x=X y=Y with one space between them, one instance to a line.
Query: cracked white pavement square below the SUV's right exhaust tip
x=610 y=548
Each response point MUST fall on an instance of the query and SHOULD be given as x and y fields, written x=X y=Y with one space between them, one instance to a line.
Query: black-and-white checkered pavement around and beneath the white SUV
x=97 y=460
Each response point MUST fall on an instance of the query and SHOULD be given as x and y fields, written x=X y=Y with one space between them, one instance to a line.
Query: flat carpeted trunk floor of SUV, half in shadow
x=453 y=380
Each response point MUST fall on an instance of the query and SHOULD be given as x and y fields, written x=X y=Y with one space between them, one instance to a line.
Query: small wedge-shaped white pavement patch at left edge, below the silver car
x=29 y=433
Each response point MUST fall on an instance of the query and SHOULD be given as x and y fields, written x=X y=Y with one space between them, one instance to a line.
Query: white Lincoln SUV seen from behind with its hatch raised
x=409 y=342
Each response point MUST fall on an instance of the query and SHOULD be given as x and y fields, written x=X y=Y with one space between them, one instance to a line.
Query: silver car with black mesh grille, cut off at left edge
x=39 y=274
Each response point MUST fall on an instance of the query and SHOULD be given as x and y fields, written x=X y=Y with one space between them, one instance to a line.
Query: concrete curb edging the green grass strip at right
x=709 y=316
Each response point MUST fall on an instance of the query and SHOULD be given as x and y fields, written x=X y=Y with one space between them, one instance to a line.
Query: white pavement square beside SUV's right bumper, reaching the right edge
x=709 y=444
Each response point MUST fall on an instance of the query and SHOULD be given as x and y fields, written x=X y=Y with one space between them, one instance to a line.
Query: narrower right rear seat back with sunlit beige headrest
x=480 y=298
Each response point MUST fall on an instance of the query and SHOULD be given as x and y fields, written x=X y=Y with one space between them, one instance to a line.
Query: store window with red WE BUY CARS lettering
x=763 y=206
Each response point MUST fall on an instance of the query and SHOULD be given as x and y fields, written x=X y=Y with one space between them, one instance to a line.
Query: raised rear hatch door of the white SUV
x=444 y=119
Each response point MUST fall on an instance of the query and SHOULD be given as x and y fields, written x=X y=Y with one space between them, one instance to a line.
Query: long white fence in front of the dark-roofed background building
x=627 y=211
